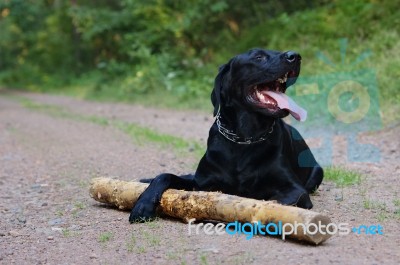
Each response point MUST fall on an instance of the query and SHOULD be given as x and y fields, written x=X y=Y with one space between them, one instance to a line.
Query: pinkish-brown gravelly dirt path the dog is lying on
x=47 y=216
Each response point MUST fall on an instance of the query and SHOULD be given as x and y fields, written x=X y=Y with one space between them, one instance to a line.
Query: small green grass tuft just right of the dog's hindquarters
x=342 y=177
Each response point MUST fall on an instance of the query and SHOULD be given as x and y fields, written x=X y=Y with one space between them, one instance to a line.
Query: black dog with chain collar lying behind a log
x=251 y=152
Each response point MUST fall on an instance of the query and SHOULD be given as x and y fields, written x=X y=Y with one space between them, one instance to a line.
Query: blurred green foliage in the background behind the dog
x=132 y=49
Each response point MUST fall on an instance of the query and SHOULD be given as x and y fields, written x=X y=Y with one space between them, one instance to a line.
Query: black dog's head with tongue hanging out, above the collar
x=257 y=81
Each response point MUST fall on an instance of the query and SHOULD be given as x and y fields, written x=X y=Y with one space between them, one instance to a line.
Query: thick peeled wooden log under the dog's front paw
x=215 y=206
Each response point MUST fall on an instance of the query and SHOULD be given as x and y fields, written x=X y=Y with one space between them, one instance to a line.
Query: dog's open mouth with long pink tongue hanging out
x=271 y=95
